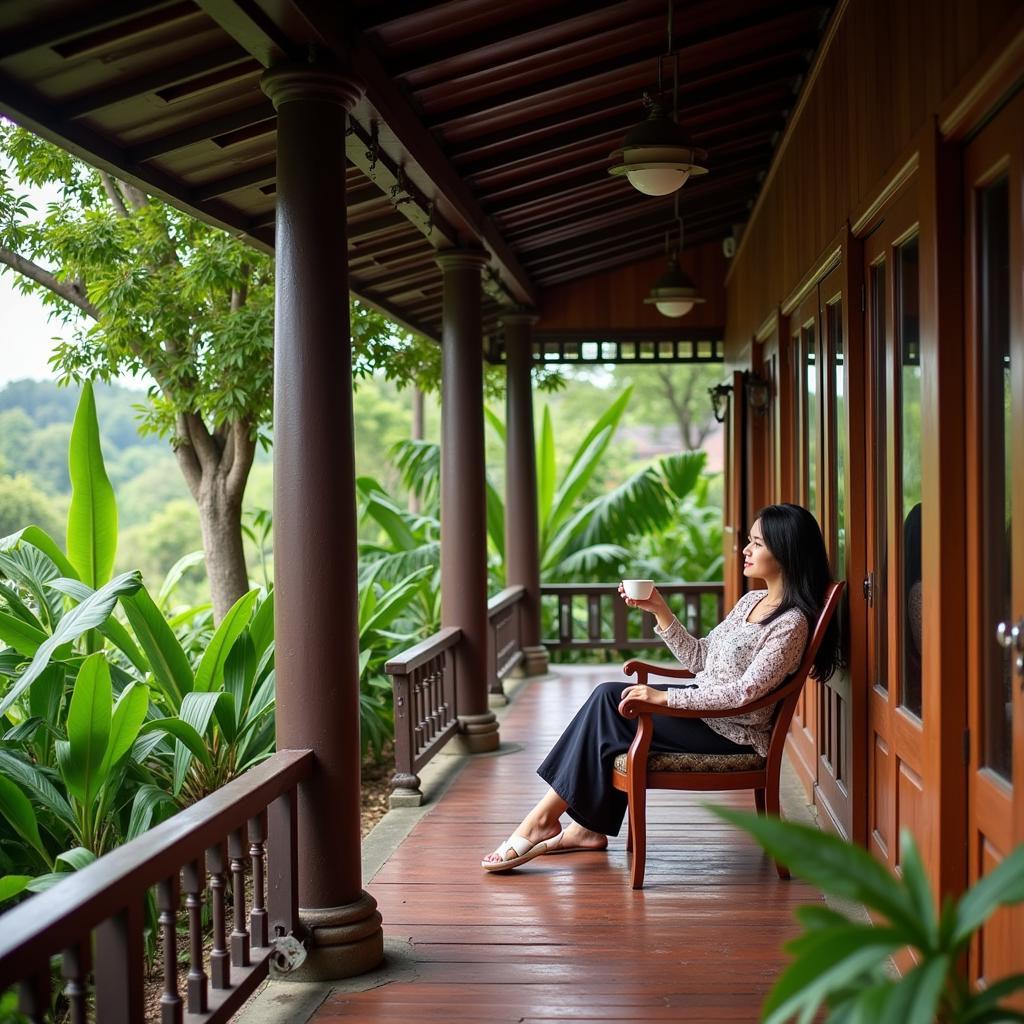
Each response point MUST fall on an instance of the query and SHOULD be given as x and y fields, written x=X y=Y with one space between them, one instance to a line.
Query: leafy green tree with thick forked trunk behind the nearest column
x=147 y=288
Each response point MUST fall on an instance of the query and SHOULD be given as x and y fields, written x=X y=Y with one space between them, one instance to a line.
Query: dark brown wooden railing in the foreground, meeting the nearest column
x=251 y=822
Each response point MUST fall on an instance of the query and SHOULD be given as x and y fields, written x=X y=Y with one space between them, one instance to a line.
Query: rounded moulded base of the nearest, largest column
x=342 y=942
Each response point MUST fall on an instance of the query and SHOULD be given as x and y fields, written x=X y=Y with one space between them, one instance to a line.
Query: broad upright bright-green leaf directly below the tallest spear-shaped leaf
x=90 y=730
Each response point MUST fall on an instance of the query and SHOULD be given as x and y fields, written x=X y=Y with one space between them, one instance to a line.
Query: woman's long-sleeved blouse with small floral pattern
x=736 y=664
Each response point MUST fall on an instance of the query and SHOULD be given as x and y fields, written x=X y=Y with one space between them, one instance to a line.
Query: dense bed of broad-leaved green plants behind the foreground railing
x=107 y=721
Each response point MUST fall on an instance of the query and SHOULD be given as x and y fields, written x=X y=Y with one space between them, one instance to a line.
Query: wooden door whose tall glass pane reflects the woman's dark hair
x=894 y=583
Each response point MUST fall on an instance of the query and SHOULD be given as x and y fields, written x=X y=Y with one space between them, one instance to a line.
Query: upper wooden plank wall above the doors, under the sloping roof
x=886 y=69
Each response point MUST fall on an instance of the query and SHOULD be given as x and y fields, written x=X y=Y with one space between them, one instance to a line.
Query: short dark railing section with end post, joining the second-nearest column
x=425 y=713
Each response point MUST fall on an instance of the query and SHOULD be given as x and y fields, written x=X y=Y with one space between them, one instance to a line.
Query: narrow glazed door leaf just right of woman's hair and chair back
x=835 y=708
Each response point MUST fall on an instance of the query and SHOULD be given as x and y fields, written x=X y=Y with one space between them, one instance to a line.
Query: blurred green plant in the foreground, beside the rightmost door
x=844 y=964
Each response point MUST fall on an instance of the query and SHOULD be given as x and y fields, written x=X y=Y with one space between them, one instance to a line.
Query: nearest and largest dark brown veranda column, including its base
x=316 y=596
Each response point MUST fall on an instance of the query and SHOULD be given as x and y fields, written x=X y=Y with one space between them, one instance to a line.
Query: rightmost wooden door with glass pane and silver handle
x=994 y=179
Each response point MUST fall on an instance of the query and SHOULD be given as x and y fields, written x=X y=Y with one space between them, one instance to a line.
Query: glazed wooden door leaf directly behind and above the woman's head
x=806 y=440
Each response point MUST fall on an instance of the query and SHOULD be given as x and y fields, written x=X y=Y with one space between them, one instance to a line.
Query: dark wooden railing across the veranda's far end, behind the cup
x=592 y=617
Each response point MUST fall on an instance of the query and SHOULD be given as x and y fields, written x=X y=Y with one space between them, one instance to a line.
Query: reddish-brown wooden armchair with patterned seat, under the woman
x=638 y=771
